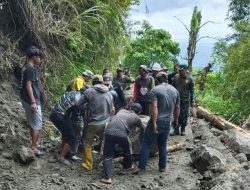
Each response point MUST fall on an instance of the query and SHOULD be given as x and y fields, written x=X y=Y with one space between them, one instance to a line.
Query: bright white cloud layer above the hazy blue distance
x=162 y=15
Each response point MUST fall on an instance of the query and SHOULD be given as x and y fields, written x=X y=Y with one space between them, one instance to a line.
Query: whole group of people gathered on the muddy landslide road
x=101 y=109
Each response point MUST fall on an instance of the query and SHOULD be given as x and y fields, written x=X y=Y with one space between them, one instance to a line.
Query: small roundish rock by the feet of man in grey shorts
x=25 y=155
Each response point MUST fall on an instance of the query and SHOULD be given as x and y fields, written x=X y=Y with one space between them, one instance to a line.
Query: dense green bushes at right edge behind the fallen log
x=228 y=92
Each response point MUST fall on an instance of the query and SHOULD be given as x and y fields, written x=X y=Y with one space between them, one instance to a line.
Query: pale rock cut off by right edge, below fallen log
x=238 y=141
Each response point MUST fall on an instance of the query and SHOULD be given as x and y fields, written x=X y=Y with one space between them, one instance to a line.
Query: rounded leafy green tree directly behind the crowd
x=151 y=45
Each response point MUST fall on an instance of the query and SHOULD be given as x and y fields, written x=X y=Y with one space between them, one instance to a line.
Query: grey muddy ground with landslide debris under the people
x=46 y=173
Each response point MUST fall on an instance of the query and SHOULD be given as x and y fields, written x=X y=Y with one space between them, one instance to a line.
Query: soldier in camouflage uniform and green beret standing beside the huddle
x=184 y=83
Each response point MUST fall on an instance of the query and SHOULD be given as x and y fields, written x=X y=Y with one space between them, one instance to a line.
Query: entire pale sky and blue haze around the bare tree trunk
x=162 y=13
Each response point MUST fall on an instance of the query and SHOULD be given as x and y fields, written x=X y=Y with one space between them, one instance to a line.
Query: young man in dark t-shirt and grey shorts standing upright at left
x=30 y=93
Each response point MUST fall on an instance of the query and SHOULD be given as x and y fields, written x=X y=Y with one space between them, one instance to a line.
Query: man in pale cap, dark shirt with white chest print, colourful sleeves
x=143 y=84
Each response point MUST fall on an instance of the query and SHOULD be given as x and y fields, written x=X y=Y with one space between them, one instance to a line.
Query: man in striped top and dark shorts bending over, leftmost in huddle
x=60 y=116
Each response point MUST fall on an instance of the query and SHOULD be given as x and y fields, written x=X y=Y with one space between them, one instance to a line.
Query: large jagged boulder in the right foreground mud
x=203 y=158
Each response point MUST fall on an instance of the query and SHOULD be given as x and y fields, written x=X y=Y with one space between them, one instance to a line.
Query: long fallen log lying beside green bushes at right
x=217 y=121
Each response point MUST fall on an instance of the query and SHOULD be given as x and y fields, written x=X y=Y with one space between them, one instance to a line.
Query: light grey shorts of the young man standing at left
x=34 y=119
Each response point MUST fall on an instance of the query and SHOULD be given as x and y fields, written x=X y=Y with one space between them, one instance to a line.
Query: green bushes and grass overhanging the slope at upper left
x=85 y=34
